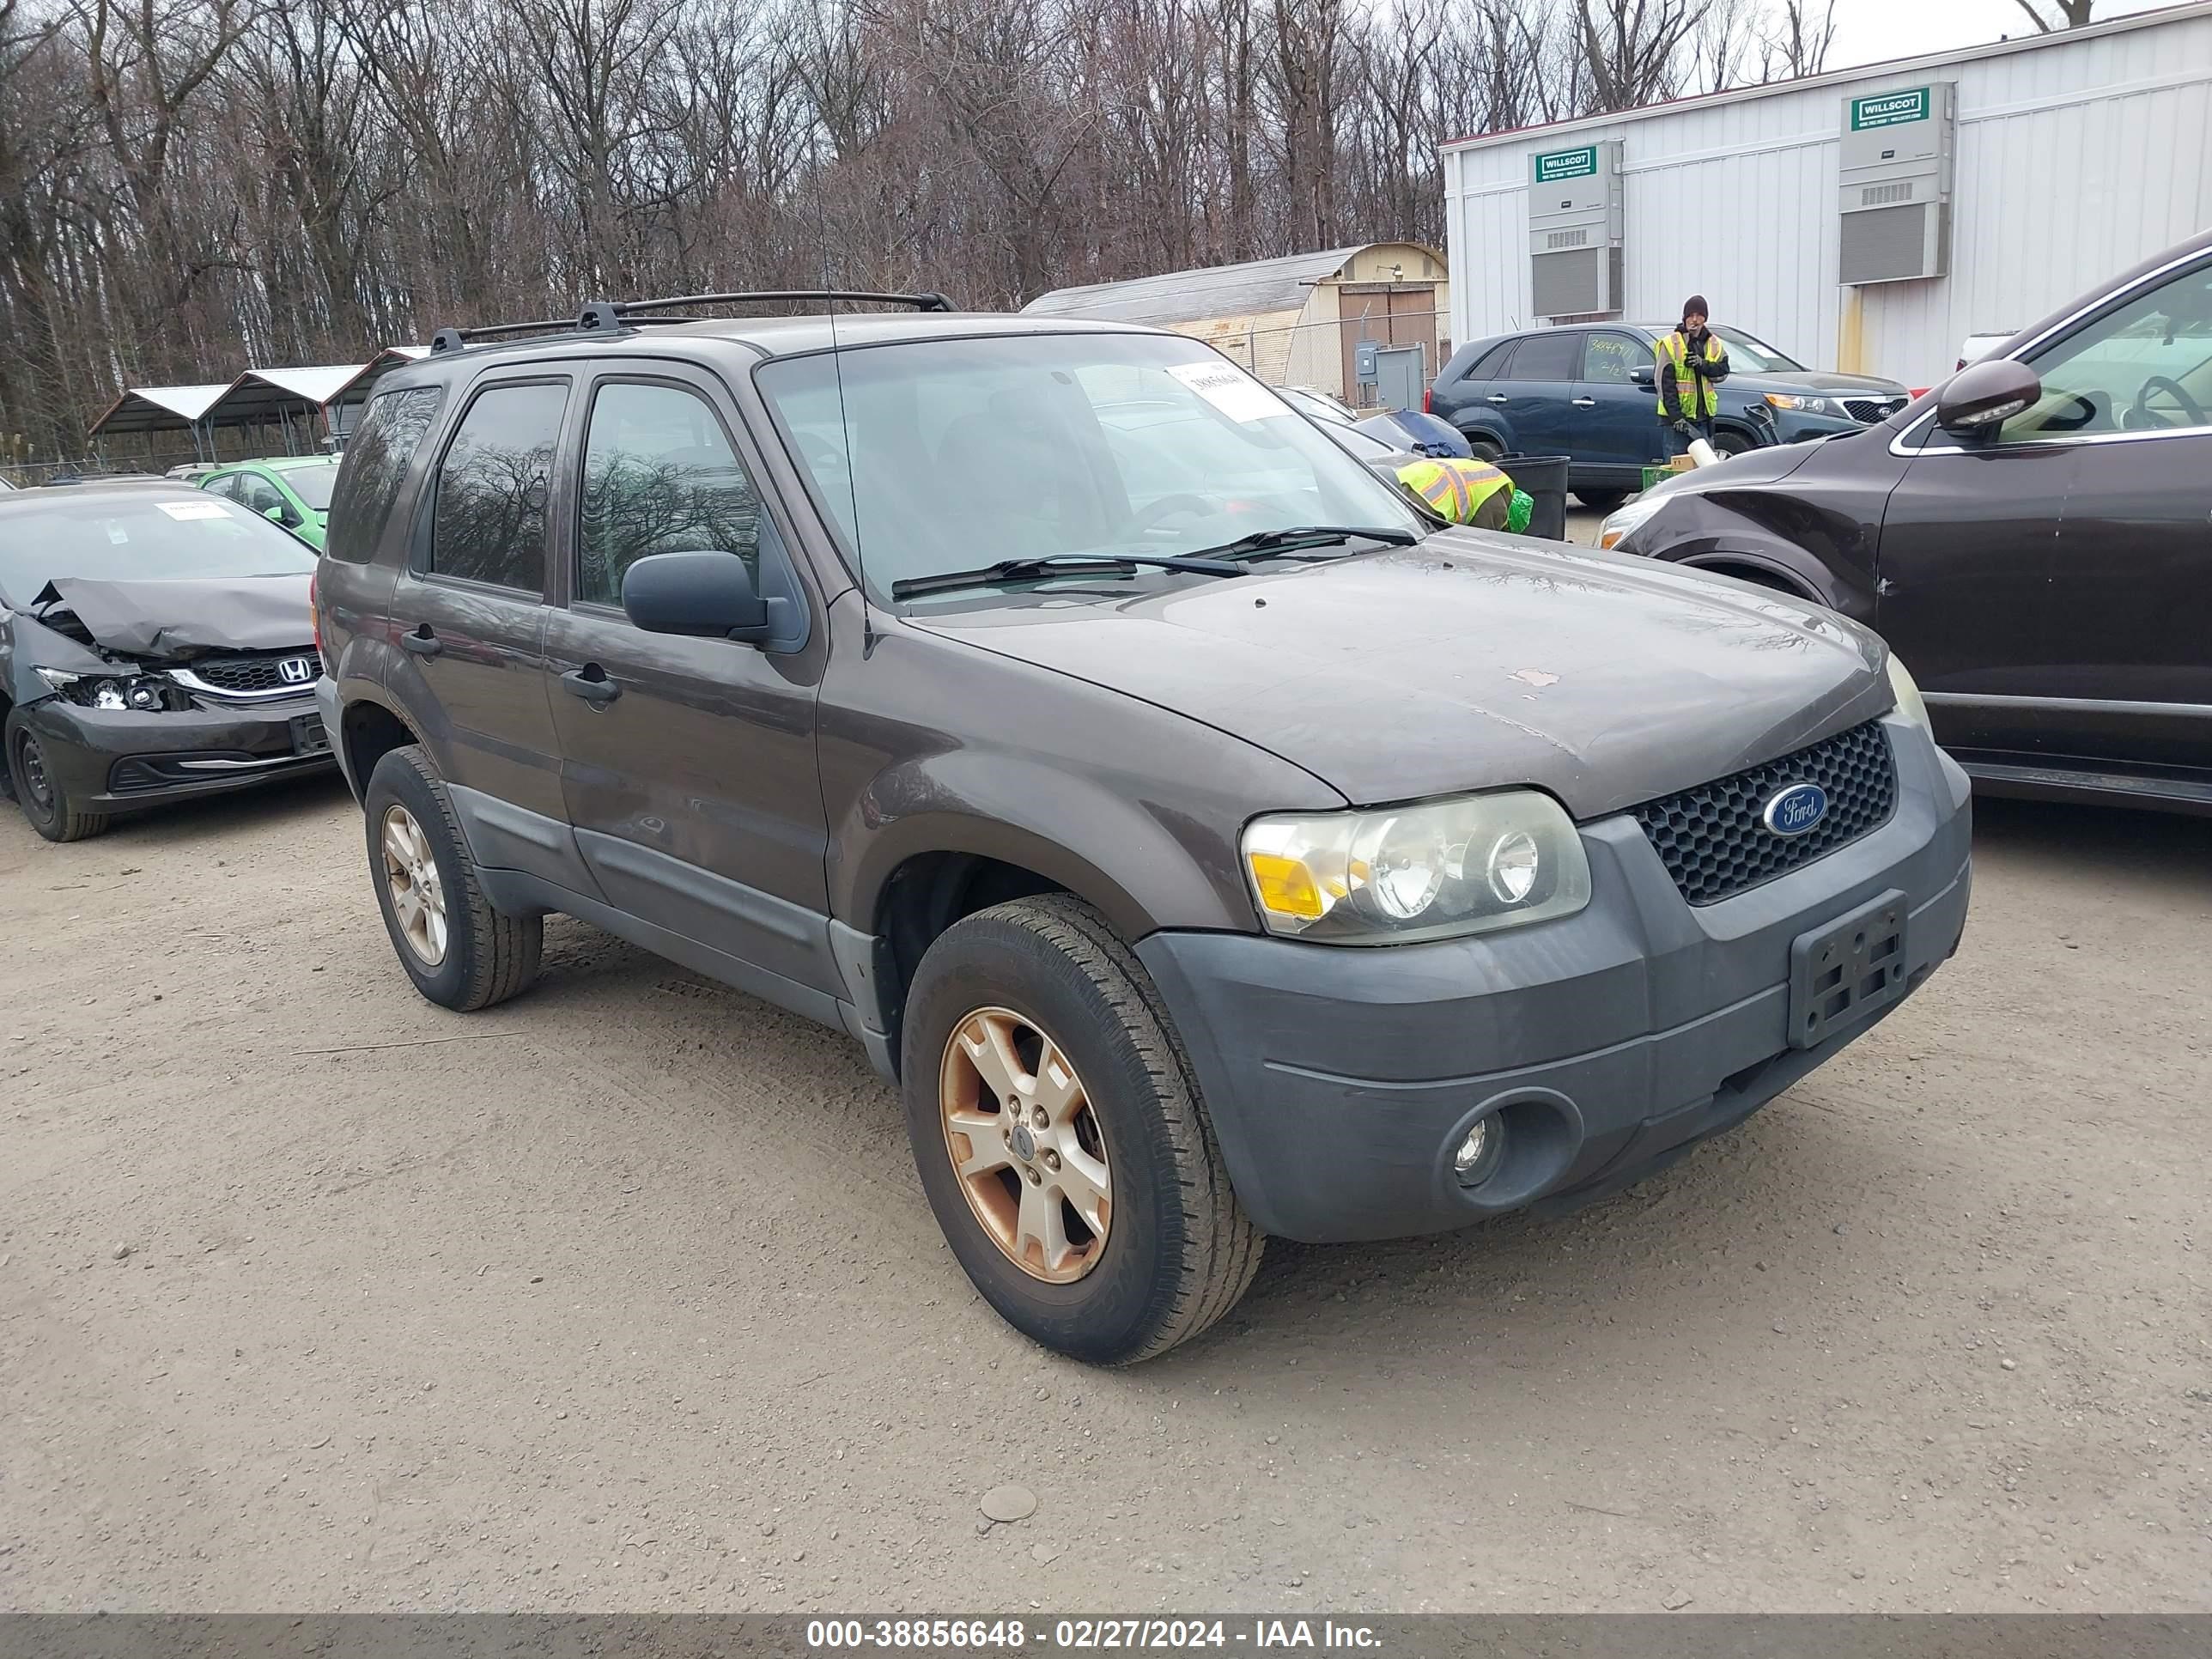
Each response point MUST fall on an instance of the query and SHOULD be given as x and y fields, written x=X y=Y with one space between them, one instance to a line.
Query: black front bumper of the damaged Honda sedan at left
x=114 y=760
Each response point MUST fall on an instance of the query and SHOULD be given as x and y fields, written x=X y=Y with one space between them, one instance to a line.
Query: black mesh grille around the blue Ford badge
x=1715 y=842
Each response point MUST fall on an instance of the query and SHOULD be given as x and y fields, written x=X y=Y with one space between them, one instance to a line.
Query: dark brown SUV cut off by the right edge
x=2034 y=534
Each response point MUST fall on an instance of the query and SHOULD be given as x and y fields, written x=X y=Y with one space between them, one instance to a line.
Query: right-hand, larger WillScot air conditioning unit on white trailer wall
x=1899 y=154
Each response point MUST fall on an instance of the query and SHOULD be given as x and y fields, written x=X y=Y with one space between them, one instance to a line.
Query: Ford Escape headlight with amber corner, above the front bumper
x=1428 y=870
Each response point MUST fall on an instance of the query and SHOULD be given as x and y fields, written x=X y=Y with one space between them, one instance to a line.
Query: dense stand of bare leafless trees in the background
x=198 y=185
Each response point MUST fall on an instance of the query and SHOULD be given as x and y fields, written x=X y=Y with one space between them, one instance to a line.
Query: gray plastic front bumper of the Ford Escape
x=1609 y=1043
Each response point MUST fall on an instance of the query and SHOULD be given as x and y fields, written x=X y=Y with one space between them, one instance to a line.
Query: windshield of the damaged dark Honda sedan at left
x=140 y=536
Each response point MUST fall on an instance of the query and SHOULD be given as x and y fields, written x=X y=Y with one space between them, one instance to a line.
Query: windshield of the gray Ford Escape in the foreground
x=950 y=455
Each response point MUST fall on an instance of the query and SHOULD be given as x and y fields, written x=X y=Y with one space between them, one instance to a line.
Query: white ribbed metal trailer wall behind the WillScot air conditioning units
x=2078 y=156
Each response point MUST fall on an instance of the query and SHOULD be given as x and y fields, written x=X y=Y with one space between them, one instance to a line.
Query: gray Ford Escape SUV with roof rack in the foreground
x=1204 y=842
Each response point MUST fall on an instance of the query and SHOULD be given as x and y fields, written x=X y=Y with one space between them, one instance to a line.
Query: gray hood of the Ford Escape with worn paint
x=1470 y=662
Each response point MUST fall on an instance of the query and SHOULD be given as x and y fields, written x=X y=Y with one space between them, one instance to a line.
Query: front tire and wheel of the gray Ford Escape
x=1063 y=1142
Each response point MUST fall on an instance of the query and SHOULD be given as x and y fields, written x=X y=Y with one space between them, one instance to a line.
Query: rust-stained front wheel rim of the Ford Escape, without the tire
x=1027 y=1147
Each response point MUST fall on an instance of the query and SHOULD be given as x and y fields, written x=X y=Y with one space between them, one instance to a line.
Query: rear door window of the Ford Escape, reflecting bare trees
x=490 y=508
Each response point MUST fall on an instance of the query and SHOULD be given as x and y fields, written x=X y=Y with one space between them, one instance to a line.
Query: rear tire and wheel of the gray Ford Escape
x=457 y=948
